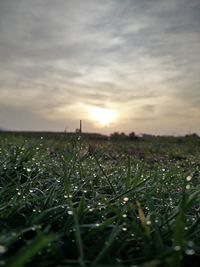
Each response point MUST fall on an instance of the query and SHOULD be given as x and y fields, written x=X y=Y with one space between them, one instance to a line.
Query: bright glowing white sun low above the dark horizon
x=102 y=116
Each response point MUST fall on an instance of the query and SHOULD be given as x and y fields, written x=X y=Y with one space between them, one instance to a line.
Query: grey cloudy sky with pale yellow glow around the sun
x=131 y=65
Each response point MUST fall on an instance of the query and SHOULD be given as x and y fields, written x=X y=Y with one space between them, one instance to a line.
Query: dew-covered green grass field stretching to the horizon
x=66 y=201
